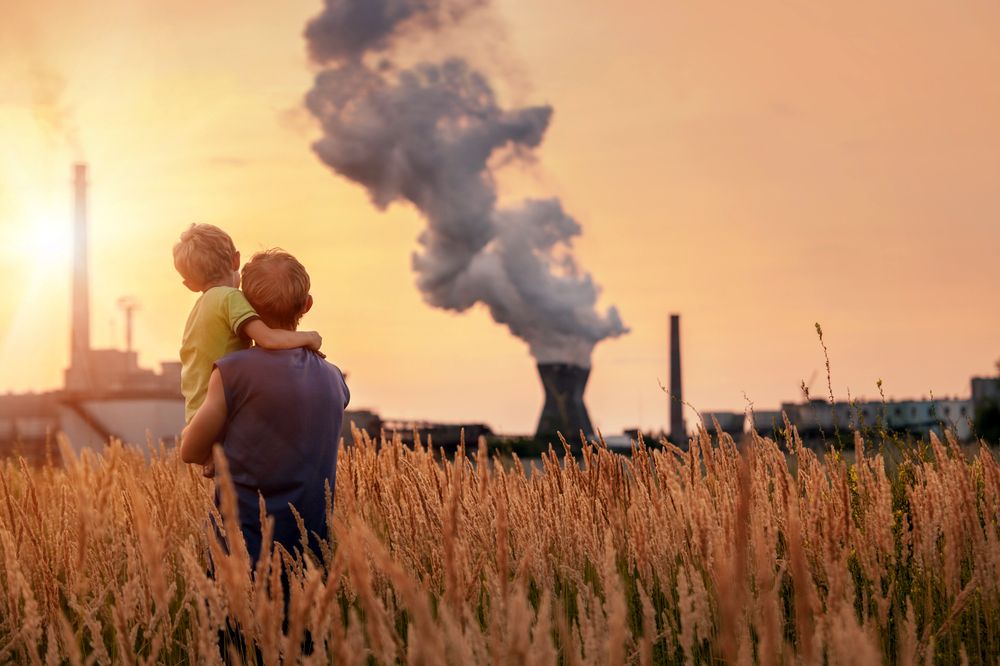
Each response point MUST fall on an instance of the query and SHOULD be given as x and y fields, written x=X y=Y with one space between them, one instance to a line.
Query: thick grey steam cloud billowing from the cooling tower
x=426 y=134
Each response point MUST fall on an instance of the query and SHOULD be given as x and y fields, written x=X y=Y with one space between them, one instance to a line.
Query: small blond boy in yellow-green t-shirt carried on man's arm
x=221 y=321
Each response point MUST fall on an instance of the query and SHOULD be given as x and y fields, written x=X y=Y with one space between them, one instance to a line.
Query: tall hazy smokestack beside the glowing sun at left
x=80 y=333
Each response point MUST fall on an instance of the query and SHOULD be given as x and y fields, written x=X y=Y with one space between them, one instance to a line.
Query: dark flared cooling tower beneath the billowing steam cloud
x=564 y=411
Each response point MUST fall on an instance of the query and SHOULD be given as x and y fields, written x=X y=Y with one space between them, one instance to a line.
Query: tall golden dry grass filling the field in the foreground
x=705 y=556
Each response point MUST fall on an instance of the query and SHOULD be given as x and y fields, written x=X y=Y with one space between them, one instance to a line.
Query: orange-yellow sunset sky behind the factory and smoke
x=757 y=168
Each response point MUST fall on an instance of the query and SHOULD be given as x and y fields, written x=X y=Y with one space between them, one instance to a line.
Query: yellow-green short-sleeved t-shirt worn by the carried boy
x=212 y=331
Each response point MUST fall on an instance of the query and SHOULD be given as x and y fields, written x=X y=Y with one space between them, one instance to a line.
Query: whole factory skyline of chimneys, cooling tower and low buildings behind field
x=107 y=395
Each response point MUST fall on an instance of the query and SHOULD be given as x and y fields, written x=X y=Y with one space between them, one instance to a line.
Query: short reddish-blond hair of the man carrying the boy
x=277 y=286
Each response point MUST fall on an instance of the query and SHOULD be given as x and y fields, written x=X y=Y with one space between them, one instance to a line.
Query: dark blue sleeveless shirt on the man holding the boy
x=285 y=411
